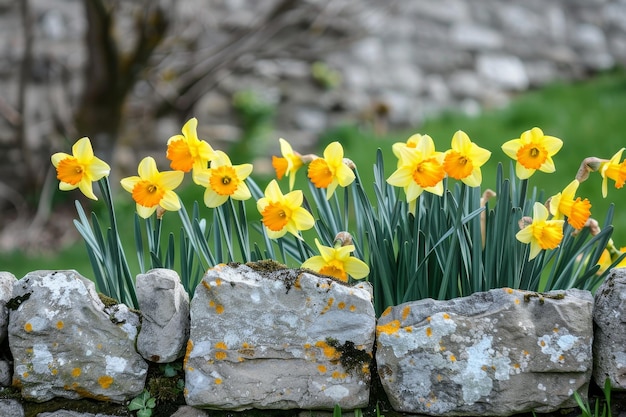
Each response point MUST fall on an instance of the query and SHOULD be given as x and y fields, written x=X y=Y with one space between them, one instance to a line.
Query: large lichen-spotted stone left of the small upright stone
x=65 y=345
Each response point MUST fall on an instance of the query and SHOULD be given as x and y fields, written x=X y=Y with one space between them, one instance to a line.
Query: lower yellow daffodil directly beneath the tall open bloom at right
x=541 y=233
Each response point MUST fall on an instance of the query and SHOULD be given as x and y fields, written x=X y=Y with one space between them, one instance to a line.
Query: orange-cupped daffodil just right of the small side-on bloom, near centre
x=330 y=171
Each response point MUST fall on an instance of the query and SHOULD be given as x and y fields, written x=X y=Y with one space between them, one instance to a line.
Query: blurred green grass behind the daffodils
x=589 y=117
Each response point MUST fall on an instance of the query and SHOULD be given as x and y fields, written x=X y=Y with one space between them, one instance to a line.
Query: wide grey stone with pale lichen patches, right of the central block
x=499 y=353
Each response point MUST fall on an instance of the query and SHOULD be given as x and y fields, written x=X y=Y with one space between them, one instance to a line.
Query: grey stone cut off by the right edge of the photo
x=609 y=343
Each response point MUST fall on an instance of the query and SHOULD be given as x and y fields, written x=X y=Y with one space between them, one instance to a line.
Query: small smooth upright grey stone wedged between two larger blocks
x=164 y=304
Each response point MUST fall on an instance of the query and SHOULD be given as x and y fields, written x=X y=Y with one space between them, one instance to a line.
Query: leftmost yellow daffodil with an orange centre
x=80 y=169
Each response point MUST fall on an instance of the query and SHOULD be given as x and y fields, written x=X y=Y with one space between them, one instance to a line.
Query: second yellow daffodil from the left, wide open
x=152 y=188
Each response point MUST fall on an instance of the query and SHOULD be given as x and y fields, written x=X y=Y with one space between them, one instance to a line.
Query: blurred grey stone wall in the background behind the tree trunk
x=396 y=61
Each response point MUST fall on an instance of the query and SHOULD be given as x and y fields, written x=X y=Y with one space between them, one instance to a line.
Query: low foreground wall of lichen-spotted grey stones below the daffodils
x=261 y=336
